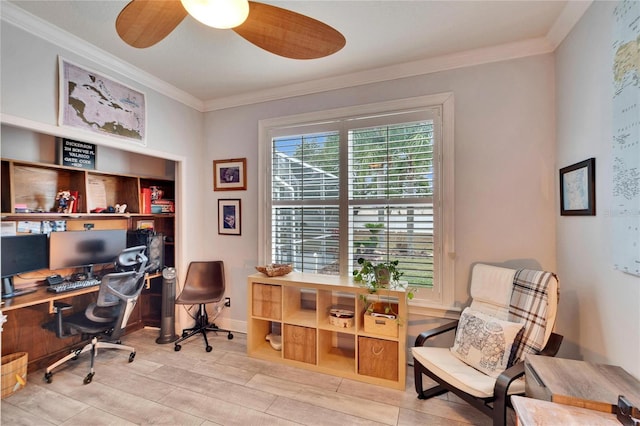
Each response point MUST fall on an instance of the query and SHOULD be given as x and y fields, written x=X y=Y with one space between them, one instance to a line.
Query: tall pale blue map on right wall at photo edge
x=625 y=150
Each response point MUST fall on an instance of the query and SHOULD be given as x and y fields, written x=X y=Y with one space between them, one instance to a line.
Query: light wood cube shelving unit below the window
x=297 y=307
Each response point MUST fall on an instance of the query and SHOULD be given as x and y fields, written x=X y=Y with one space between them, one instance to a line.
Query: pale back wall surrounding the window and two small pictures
x=504 y=164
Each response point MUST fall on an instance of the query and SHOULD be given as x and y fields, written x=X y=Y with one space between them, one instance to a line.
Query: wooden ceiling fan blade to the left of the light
x=143 y=23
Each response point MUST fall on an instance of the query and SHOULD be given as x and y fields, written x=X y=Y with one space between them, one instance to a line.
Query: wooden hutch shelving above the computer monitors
x=36 y=185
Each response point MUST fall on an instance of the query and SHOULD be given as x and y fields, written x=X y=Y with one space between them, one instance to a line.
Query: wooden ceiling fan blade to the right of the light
x=288 y=33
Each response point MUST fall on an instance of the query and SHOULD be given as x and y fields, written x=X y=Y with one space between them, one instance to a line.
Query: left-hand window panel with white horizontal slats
x=305 y=197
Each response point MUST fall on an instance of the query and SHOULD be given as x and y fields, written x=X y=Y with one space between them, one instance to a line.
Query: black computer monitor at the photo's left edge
x=21 y=254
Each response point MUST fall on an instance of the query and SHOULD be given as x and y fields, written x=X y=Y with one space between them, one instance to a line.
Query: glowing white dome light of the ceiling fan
x=221 y=14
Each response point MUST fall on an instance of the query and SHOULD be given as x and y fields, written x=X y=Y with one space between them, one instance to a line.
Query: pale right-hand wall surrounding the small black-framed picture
x=599 y=306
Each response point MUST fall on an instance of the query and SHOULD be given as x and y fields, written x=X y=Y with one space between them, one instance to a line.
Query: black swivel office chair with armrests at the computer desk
x=107 y=318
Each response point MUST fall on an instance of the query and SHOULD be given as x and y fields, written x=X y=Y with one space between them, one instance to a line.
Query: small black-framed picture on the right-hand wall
x=578 y=189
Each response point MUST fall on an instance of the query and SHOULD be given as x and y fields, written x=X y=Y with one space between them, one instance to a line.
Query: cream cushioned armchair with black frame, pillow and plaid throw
x=512 y=313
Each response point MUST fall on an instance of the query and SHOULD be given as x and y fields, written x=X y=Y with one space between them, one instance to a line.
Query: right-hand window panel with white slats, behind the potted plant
x=391 y=197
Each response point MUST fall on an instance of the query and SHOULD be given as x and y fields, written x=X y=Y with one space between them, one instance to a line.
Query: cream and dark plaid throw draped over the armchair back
x=528 y=305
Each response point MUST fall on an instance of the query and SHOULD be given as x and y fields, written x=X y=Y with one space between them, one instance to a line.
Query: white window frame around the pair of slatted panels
x=428 y=301
